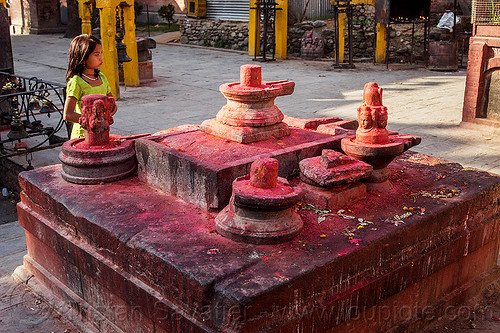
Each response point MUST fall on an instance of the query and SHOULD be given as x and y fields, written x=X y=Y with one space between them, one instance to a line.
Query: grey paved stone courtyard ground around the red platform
x=420 y=102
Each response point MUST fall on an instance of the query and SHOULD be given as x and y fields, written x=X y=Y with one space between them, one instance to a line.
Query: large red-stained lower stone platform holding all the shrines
x=127 y=258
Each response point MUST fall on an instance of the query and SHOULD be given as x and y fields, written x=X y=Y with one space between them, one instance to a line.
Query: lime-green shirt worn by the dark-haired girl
x=77 y=88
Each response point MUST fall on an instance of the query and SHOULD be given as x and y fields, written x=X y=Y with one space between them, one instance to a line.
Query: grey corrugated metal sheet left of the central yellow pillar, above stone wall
x=228 y=10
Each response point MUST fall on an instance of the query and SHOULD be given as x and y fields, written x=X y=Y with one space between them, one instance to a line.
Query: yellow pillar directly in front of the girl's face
x=108 y=32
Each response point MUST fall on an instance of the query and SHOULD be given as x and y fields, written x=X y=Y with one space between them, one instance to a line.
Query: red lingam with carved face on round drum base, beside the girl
x=98 y=157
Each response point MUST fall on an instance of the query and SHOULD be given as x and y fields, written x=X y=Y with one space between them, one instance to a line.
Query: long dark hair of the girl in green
x=79 y=50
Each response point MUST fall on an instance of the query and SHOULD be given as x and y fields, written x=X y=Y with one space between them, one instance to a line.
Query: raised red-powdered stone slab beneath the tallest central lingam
x=200 y=168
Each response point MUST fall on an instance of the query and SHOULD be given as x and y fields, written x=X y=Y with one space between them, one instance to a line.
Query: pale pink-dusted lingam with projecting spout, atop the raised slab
x=250 y=114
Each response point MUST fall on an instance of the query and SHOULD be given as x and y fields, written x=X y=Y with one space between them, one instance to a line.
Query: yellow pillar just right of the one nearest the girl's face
x=131 y=68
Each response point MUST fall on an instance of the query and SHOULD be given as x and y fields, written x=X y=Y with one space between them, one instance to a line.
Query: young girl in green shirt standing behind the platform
x=83 y=78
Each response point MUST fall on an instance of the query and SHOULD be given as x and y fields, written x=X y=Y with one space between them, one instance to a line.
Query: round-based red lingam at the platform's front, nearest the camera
x=259 y=211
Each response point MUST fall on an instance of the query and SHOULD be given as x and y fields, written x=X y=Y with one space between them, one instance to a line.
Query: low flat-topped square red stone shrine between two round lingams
x=330 y=181
